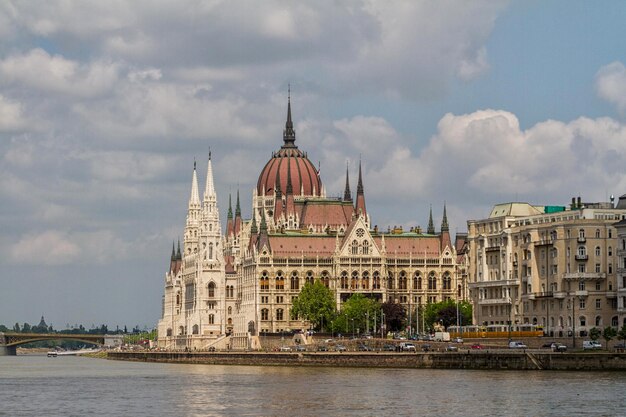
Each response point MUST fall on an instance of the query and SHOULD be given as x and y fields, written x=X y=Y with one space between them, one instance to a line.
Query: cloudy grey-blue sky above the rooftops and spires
x=104 y=106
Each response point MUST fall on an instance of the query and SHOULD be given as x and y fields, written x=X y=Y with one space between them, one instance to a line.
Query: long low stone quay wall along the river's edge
x=497 y=359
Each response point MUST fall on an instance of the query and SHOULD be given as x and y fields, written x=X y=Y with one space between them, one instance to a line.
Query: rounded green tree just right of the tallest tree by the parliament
x=357 y=314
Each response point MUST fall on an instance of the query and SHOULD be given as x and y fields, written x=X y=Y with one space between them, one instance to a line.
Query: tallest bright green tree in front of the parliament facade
x=316 y=304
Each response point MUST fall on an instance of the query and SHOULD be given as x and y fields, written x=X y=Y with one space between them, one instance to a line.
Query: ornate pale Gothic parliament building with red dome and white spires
x=225 y=290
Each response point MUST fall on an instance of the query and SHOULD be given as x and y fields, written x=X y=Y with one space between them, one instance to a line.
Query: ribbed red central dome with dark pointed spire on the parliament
x=289 y=167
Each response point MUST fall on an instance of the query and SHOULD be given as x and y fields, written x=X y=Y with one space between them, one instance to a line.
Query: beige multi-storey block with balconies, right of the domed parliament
x=553 y=266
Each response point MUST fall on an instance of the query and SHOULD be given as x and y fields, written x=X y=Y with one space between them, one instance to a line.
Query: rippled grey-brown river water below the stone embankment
x=76 y=386
